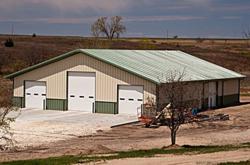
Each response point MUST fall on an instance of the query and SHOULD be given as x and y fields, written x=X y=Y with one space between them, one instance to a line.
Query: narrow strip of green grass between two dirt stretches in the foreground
x=64 y=160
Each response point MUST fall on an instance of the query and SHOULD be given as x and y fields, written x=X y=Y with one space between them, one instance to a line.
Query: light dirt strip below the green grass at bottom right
x=200 y=159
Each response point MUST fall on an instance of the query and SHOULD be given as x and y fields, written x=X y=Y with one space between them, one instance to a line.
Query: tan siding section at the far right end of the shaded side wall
x=231 y=87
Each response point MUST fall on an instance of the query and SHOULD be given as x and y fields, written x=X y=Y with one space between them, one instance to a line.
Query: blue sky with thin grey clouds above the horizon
x=143 y=18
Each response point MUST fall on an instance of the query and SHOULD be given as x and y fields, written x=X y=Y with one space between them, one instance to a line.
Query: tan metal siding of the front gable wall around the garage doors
x=107 y=78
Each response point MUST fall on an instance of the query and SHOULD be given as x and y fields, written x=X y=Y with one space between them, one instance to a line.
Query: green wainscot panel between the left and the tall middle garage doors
x=56 y=104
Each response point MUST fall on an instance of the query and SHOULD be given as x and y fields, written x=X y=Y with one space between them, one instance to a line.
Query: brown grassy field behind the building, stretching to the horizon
x=233 y=54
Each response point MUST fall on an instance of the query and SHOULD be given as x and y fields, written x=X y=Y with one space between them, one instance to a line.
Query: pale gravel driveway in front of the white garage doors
x=38 y=127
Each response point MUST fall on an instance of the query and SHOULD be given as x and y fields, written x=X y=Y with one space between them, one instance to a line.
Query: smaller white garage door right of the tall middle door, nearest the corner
x=130 y=99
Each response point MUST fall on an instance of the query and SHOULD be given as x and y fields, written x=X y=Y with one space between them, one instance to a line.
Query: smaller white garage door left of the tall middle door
x=35 y=94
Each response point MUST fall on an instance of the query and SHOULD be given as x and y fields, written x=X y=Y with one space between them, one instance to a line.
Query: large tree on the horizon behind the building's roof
x=109 y=28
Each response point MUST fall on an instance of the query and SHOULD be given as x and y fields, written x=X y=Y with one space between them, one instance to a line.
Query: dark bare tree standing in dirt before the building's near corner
x=178 y=109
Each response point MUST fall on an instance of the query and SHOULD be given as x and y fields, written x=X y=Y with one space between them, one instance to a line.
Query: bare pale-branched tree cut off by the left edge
x=6 y=118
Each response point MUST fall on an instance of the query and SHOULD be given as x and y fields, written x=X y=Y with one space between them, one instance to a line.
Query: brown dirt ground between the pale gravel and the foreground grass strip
x=132 y=137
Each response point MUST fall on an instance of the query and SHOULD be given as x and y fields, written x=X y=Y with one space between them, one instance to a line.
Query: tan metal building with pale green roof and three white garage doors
x=118 y=81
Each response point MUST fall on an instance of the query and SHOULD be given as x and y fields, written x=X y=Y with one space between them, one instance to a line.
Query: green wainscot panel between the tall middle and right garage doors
x=106 y=107
